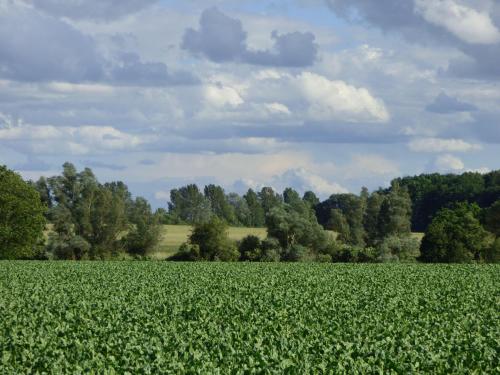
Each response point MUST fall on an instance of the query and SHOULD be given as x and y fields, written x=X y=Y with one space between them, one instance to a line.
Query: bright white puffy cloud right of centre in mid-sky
x=338 y=100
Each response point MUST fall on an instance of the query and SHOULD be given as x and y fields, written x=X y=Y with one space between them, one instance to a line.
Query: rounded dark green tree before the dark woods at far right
x=455 y=235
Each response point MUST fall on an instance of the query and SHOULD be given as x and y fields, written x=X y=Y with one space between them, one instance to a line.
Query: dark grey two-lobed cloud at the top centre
x=221 y=38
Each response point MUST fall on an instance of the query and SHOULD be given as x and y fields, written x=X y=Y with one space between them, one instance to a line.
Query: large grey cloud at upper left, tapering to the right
x=48 y=49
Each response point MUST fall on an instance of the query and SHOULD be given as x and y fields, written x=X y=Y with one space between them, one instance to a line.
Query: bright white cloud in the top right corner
x=466 y=23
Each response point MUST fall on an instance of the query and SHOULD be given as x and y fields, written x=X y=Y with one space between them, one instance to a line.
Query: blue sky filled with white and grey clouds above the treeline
x=322 y=95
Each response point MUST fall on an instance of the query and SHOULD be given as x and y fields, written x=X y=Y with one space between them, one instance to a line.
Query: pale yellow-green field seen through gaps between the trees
x=174 y=235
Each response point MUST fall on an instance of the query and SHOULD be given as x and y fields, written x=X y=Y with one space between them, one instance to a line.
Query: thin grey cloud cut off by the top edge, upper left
x=90 y=9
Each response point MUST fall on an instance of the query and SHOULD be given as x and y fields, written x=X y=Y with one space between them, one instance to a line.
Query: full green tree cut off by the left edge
x=22 y=218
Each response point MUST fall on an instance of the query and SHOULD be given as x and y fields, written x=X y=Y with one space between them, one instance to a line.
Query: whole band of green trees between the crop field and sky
x=459 y=214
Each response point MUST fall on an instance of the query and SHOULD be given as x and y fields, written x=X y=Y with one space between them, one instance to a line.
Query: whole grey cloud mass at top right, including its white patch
x=470 y=26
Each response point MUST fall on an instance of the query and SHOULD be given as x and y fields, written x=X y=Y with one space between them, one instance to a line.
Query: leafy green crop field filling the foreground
x=162 y=317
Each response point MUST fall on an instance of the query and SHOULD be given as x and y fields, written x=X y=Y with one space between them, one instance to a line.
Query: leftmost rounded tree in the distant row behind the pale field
x=188 y=205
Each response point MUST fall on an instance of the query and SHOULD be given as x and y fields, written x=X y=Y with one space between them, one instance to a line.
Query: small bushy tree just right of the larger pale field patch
x=212 y=239
